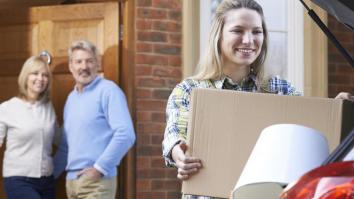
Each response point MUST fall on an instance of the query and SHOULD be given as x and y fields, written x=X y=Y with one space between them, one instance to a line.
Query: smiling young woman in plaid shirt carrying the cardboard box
x=234 y=60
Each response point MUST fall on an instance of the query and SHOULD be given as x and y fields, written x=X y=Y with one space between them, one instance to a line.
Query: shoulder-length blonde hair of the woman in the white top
x=31 y=65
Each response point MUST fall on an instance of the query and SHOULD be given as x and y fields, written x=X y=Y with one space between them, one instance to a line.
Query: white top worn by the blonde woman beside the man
x=30 y=130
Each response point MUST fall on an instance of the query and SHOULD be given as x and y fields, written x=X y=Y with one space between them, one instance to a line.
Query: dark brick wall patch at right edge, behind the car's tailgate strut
x=340 y=73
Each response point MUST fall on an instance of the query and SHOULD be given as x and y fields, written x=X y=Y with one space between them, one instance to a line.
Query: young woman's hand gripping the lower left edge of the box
x=187 y=166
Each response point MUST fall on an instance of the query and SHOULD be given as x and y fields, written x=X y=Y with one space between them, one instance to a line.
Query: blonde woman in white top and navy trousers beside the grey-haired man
x=28 y=121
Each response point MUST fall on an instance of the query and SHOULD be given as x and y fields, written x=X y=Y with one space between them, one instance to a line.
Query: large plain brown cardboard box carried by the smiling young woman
x=224 y=126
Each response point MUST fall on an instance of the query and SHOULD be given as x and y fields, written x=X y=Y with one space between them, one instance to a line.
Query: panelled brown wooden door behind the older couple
x=26 y=32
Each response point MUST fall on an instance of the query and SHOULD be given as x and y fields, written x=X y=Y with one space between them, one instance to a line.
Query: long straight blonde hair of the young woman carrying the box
x=210 y=65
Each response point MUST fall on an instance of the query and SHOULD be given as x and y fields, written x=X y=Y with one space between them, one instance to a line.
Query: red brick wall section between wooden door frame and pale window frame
x=157 y=70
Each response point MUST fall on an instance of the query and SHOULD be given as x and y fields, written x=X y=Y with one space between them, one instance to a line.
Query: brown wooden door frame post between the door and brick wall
x=126 y=81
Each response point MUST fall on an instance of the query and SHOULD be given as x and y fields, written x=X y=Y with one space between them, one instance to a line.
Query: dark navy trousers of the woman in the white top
x=18 y=187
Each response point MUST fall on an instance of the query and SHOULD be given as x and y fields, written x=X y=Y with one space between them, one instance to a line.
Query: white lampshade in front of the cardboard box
x=282 y=154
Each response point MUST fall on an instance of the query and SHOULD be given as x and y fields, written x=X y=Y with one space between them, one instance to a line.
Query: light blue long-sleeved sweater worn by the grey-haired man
x=98 y=130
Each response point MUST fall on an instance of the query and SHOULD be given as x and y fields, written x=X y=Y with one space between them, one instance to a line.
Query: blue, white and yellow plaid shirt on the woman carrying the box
x=178 y=107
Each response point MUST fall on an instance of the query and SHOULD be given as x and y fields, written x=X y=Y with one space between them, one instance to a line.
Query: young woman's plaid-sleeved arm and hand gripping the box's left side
x=174 y=145
